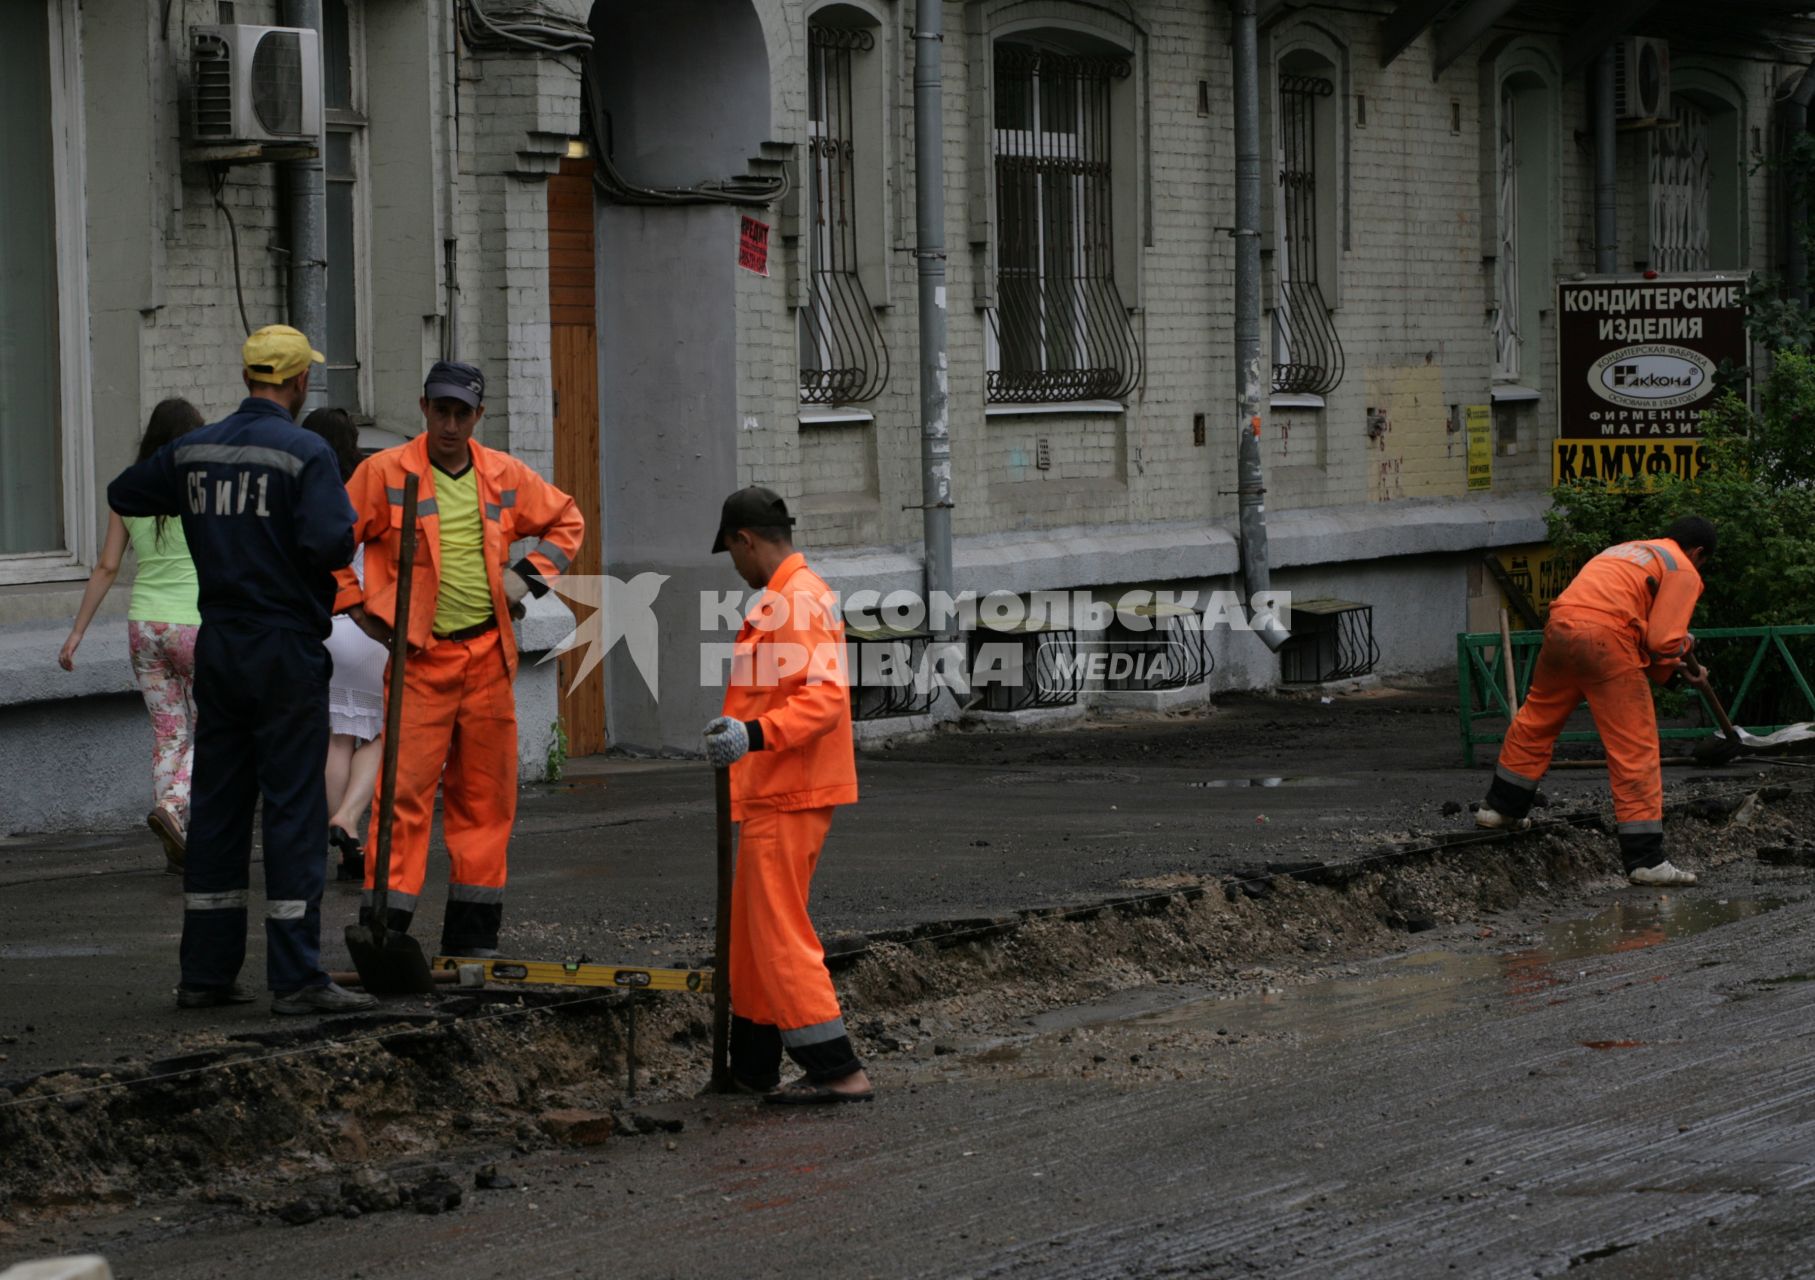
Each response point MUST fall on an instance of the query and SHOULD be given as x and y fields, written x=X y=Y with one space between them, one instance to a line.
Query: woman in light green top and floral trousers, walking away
x=162 y=624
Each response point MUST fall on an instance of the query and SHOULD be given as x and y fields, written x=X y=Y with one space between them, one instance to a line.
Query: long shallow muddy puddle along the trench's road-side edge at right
x=1411 y=989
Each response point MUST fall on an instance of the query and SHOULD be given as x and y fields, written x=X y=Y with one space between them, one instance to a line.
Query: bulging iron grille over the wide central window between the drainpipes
x=1059 y=330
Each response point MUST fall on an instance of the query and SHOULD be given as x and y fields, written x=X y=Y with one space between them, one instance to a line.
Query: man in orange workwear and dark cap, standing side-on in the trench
x=787 y=738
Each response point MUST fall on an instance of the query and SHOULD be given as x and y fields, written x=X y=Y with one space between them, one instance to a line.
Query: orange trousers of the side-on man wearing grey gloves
x=778 y=963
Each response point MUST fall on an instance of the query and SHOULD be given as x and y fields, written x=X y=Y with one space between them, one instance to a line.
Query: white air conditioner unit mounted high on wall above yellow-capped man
x=255 y=84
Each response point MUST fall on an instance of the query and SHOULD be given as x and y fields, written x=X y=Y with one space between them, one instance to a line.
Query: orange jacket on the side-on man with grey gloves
x=789 y=673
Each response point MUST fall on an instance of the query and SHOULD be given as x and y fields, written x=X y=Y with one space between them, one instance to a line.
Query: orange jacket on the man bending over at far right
x=1649 y=589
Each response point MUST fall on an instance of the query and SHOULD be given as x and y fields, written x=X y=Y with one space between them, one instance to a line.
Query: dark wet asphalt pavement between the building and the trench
x=618 y=863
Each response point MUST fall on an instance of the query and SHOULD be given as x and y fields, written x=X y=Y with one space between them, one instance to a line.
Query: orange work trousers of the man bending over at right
x=1585 y=660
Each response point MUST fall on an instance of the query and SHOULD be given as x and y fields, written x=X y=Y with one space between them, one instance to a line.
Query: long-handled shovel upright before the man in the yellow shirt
x=393 y=963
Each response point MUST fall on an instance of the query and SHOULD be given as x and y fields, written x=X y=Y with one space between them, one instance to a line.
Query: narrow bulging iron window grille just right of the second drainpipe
x=1308 y=357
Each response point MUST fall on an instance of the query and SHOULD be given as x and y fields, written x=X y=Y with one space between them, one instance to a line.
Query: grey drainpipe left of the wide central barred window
x=930 y=259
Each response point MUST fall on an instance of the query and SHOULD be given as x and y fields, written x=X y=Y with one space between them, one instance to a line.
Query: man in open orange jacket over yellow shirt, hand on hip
x=460 y=718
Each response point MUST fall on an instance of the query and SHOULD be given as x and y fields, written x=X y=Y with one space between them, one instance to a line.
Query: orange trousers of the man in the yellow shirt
x=460 y=731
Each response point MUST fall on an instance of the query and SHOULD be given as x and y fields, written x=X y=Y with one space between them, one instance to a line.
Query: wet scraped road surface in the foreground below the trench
x=1629 y=1094
